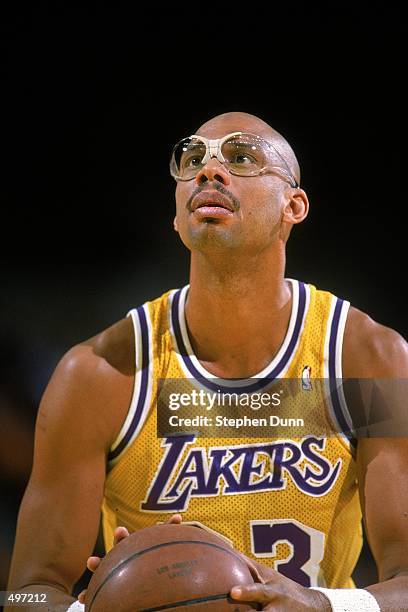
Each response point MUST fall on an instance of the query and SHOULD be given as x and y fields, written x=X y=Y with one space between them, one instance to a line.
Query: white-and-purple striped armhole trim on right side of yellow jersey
x=333 y=371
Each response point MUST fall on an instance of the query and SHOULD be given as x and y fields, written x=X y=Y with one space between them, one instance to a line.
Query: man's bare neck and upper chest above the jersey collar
x=237 y=315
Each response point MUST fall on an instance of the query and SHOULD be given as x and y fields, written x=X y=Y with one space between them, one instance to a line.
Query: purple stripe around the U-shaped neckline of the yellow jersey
x=259 y=384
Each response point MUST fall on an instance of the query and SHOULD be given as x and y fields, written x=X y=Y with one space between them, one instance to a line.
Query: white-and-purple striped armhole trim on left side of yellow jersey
x=142 y=387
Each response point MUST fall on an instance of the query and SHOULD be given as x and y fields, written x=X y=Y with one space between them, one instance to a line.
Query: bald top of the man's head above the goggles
x=244 y=122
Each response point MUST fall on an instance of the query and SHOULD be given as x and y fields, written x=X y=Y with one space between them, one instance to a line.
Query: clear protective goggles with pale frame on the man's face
x=241 y=153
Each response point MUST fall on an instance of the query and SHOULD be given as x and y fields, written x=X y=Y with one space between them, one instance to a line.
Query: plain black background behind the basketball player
x=95 y=96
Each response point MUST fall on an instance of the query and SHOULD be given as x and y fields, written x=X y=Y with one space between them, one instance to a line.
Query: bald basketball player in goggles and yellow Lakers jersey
x=292 y=504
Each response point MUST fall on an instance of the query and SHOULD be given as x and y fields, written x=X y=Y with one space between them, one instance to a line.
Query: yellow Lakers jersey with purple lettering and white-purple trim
x=289 y=501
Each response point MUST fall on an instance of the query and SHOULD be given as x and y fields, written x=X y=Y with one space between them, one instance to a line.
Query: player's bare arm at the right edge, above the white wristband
x=379 y=353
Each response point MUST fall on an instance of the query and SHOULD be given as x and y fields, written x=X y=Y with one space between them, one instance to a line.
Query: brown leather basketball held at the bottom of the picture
x=169 y=567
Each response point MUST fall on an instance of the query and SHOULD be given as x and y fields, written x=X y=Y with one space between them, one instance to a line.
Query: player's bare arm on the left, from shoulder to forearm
x=80 y=415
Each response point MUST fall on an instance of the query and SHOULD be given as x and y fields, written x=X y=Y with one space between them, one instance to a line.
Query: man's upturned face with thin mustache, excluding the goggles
x=220 y=212
